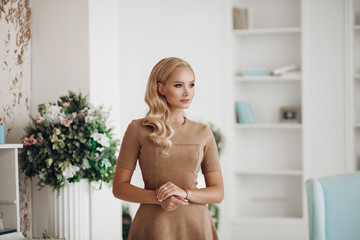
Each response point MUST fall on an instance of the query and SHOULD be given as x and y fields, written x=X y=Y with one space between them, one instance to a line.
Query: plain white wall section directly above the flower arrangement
x=60 y=49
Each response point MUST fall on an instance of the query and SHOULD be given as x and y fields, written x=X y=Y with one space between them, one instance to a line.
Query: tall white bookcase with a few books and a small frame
x=267 y=169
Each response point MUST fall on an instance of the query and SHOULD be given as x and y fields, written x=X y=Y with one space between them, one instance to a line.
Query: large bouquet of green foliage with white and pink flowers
x=68 y=141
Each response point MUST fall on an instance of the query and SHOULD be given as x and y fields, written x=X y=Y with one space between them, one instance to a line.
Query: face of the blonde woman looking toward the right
x=179 y=89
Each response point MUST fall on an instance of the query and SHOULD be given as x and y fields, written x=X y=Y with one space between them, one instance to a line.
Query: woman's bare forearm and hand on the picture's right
x=213 y=193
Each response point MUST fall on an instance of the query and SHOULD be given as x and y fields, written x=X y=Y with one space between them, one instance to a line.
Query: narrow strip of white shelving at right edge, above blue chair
x=353 y=25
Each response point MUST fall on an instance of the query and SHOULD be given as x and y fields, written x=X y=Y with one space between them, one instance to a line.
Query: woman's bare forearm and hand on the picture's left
x=122 y=189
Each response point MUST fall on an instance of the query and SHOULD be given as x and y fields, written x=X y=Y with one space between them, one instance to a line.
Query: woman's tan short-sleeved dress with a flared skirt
x=194 y=148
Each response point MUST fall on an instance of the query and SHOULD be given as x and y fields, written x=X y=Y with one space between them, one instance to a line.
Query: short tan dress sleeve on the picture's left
x=130 y=146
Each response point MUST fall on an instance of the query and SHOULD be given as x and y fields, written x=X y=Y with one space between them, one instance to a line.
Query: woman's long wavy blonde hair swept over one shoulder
x=159 y=111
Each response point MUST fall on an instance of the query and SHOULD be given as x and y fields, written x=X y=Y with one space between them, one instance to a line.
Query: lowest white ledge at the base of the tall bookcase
x=287 y=221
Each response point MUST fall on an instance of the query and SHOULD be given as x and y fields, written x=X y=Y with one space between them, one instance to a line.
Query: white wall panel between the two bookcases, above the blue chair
x=324 y=87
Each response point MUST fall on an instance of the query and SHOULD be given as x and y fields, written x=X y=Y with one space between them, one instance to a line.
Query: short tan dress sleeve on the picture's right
x=210 y=162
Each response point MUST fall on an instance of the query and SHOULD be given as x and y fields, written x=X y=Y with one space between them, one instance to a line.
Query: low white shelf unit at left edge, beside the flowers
x=9 y=191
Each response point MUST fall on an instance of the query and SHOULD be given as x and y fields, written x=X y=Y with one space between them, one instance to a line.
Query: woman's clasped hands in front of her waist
x=171 y=196
